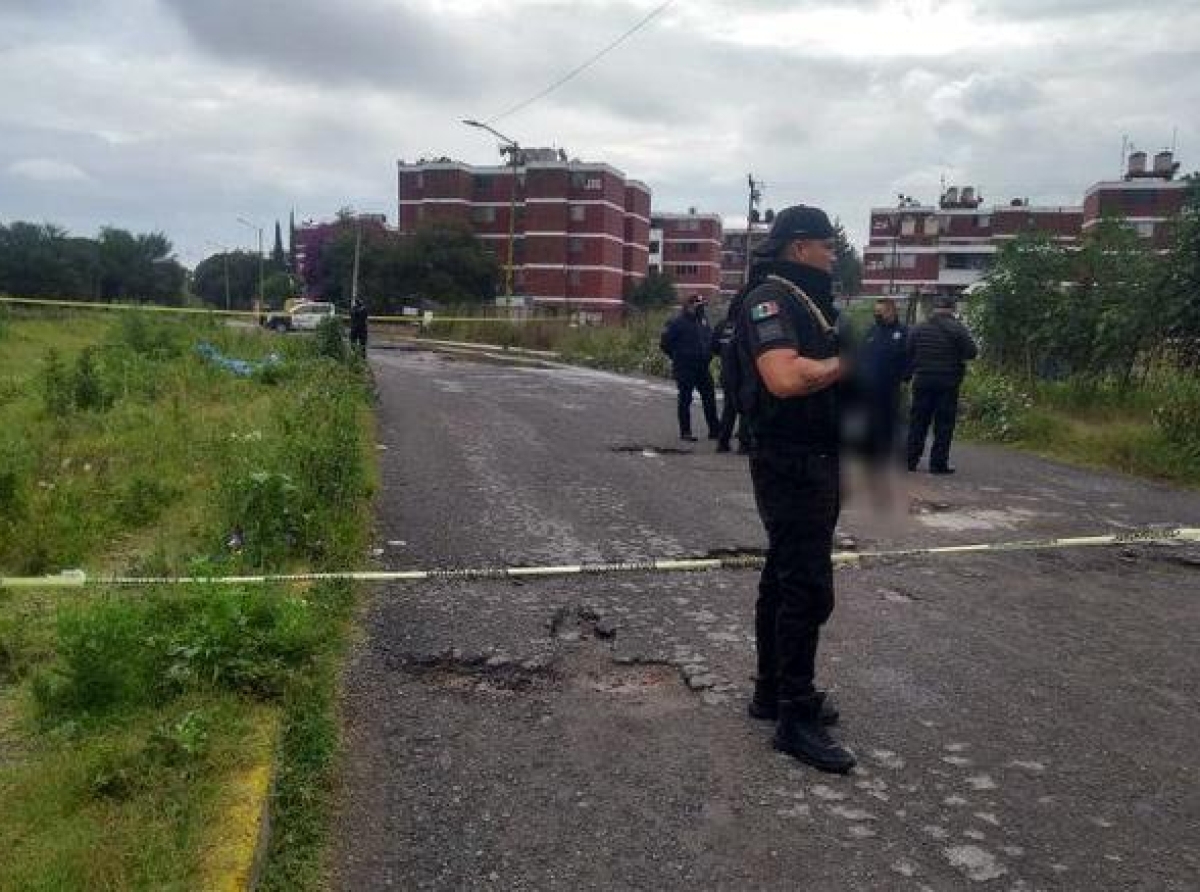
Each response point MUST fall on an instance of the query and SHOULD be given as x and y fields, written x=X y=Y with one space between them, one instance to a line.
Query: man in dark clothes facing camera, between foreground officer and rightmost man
x=883 y=367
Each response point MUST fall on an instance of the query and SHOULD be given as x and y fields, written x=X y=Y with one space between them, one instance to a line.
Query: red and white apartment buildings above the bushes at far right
x=917 y=249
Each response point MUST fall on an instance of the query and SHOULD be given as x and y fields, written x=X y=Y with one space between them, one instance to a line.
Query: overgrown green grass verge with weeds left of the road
x=128 y=716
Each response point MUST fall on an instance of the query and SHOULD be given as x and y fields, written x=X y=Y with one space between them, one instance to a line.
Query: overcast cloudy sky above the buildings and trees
x=183 y=116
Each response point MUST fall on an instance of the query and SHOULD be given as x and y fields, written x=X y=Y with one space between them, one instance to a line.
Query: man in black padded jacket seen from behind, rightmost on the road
x=938 y=351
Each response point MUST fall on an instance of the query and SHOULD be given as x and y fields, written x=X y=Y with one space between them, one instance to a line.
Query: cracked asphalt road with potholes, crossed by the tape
x=1023 y=721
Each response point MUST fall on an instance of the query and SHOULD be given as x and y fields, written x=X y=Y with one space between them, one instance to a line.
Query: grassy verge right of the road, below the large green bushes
x=1150 y=430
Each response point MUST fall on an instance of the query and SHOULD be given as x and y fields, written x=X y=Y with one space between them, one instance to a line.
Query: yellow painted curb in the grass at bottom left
x=237 y=848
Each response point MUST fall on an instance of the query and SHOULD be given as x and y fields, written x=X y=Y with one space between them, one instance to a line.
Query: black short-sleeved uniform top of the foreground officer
x=776 y=319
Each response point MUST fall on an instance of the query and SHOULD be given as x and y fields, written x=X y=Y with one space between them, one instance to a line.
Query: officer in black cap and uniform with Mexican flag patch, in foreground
x=790 y=366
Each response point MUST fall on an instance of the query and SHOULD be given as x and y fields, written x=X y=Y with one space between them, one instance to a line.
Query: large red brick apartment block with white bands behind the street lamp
x=580 y=231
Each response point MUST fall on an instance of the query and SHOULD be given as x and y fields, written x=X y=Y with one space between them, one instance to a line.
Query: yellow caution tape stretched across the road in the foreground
x=76 y=579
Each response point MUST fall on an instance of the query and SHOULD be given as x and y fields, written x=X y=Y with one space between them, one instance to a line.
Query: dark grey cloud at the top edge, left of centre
x=355 y=43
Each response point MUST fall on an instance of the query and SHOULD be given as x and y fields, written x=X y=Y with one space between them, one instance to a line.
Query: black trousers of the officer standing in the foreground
x=799 y=498
